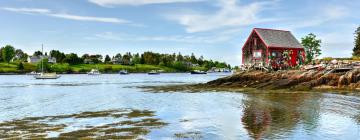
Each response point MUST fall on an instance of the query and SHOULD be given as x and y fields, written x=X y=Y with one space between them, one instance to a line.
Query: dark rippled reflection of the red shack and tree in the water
x=276 y=115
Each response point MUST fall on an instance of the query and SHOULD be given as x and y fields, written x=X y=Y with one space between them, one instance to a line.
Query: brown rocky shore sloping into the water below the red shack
x=286 y=81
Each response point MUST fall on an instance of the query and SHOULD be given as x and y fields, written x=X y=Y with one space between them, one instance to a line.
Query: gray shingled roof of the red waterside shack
x=278 y=38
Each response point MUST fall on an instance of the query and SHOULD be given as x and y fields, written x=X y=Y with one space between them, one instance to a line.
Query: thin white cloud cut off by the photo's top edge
x=108 y=3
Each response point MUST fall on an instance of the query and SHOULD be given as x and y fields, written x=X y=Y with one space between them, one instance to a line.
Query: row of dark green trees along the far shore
x=176 y=61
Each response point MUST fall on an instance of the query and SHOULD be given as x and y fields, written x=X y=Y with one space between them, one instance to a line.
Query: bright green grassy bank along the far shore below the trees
x=84 y=68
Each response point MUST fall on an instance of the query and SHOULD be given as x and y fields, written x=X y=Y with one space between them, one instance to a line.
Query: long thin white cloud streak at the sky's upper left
x=48 y=12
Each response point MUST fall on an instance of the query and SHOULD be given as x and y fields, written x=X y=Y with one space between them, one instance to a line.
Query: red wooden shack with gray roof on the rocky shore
x=273 y=49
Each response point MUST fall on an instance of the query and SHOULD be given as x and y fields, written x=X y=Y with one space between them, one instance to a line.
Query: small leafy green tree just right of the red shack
x=312 y=47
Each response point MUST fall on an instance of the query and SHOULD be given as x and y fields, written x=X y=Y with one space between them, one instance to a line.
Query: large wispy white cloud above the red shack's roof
x=230 y=15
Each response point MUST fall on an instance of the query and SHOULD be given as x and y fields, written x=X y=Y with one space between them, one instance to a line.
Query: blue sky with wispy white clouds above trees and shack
x=215 y=29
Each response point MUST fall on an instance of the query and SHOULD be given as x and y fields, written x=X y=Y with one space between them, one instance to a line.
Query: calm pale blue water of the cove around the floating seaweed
x=207 y=115
